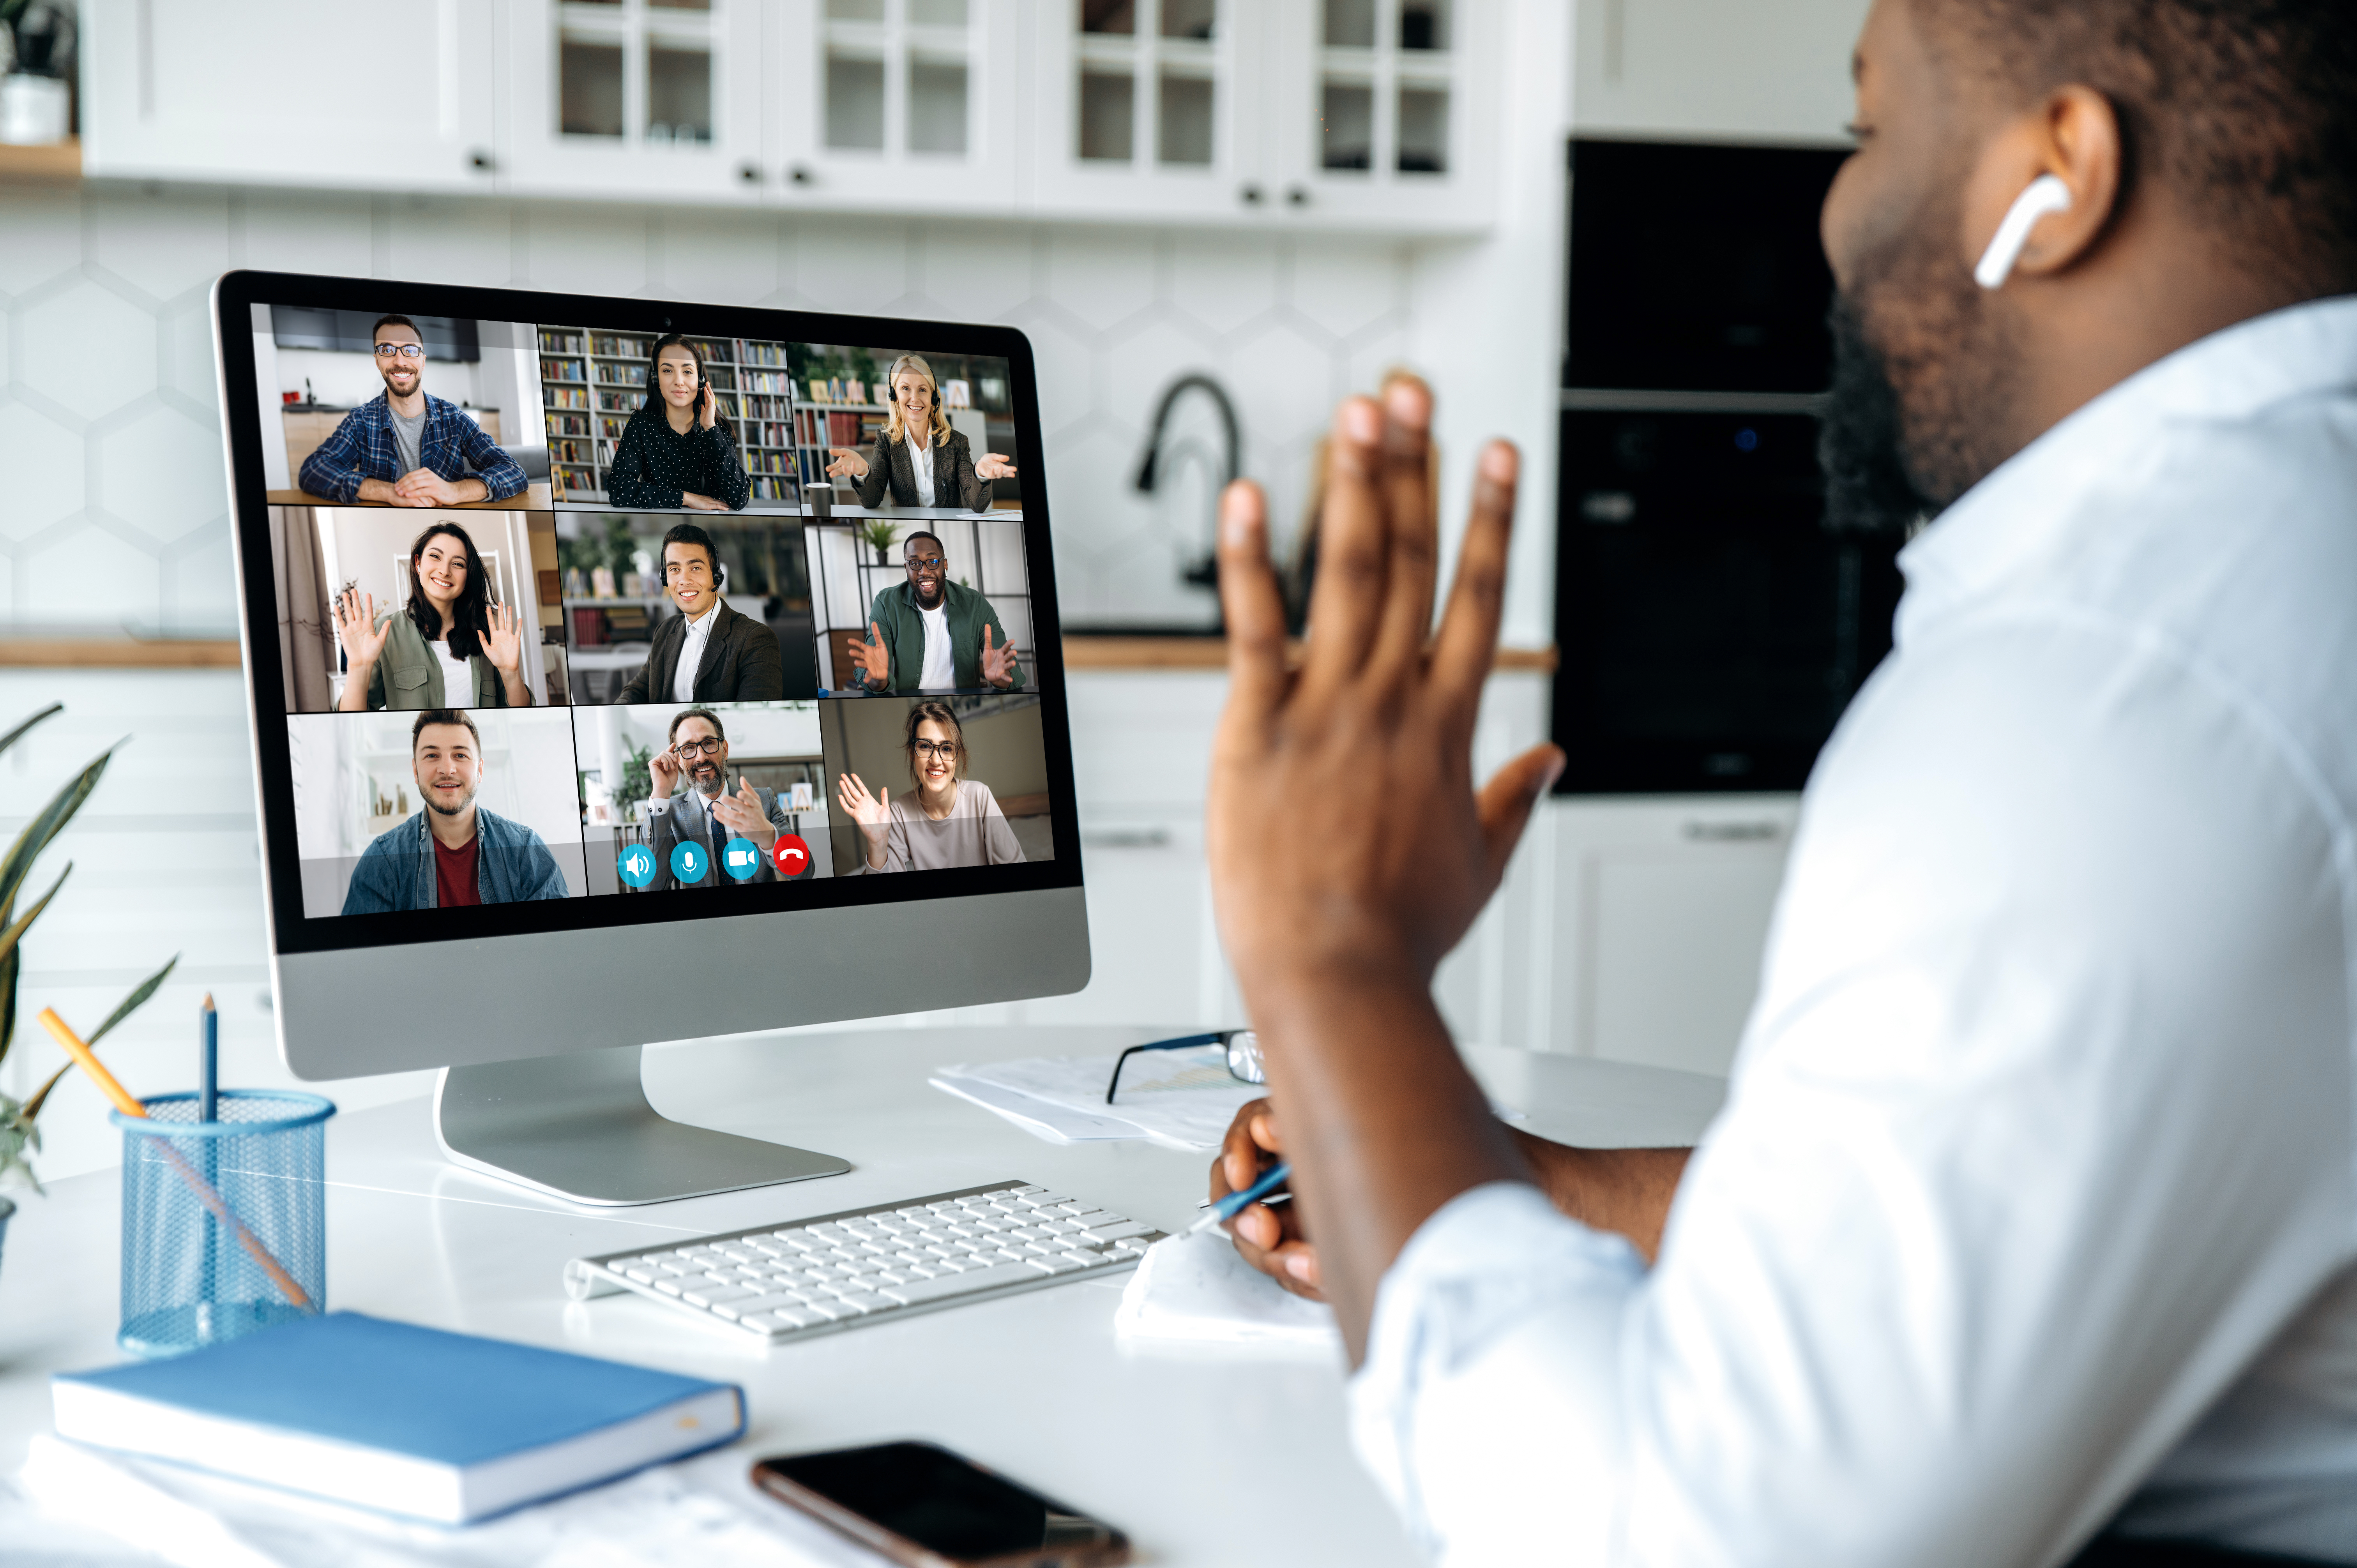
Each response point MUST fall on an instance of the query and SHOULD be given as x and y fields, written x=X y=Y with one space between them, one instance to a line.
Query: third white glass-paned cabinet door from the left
x=1149 y=107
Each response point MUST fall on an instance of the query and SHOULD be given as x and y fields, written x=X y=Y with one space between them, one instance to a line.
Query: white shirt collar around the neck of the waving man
x=2019 y=513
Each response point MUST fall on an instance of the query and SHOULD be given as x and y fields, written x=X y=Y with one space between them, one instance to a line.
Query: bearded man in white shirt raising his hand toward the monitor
x=2033 y=1208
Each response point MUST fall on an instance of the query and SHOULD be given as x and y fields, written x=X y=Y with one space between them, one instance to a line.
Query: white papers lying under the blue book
x=692 y=1515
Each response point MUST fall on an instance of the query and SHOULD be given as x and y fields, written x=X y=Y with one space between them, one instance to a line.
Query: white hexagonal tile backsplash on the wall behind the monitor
x=110 y=421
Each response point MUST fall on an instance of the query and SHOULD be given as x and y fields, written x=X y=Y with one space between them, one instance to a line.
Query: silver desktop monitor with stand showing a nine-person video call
x=628 y=671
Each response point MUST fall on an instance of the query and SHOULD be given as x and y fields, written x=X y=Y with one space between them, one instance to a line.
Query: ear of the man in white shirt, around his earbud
x=2073 y=133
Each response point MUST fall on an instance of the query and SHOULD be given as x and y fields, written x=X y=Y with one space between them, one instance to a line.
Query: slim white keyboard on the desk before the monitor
x=871 y=1265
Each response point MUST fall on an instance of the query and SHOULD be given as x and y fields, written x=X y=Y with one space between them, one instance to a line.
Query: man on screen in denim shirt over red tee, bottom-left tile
x=451 y=852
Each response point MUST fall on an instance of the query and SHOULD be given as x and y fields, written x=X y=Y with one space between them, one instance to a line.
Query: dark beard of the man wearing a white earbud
x=1922 y=378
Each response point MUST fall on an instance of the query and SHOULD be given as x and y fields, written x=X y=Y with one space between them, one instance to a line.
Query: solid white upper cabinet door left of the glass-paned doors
x=400 y=95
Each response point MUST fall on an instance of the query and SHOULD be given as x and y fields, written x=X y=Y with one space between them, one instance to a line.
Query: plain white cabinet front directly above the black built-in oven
x=1715 y=70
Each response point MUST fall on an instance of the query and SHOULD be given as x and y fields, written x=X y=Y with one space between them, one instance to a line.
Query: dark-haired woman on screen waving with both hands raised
x=449 y=647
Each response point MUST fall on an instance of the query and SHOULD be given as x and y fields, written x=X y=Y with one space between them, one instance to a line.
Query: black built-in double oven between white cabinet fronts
x=1710 y=628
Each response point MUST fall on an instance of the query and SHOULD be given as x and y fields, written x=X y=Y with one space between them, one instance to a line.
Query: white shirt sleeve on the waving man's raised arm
x=2038 y=1138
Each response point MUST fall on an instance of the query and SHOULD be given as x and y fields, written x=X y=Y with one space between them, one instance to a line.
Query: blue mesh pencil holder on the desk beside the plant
x=225 y=1225
